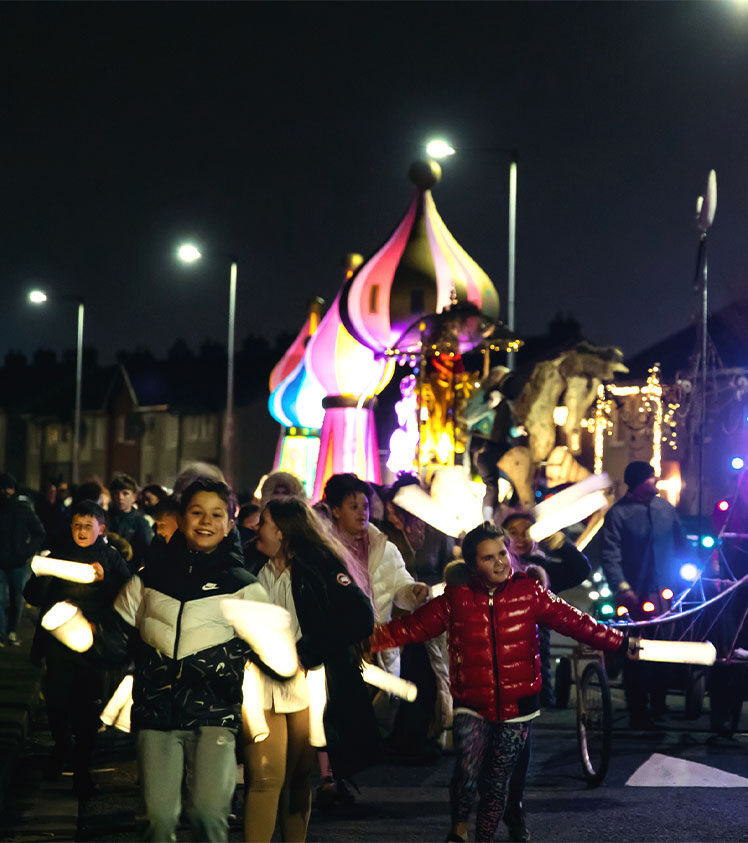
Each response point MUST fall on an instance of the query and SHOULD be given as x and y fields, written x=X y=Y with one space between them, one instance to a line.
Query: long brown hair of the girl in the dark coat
x=305 y=535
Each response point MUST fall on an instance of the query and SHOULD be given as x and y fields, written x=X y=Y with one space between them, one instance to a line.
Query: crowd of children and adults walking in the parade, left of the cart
x=356 y=574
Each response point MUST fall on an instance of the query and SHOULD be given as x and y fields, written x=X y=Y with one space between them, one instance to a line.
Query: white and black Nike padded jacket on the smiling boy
x=189 y=663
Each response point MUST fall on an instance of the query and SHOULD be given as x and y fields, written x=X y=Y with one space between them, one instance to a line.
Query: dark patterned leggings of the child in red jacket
x=486 y=754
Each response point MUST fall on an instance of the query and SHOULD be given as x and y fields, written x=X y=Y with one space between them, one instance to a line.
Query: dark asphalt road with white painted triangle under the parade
x=405 y=802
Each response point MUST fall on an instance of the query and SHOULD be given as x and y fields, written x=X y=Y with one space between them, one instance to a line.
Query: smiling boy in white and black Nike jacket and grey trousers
x=189 y=665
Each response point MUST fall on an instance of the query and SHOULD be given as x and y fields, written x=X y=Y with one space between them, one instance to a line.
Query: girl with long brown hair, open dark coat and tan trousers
x=304 y=572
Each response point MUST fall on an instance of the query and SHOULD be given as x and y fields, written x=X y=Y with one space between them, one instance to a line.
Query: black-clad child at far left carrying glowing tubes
x=74 y=687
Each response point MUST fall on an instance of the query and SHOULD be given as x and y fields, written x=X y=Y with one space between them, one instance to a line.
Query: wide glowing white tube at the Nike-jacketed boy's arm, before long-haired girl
x=267 y=630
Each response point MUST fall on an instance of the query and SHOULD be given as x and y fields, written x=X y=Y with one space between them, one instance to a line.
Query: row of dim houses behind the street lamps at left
x=147 y=418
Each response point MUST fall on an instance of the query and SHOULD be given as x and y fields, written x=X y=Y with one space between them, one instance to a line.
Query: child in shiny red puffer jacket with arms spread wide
x=492 y=618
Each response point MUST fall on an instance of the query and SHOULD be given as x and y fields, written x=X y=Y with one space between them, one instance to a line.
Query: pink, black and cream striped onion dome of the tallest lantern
x=421 y=269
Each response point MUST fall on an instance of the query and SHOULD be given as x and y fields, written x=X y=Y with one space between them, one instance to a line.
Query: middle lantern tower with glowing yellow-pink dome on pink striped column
x=351 y=375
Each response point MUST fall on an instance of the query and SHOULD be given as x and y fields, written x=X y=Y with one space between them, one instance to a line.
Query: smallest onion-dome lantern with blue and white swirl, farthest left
x=296 y=403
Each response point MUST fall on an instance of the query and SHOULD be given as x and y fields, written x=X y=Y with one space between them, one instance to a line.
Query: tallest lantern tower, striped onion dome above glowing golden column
x=420 y=274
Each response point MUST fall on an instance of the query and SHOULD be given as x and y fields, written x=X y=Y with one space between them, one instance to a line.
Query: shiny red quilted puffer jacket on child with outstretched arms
x=494 y=660
